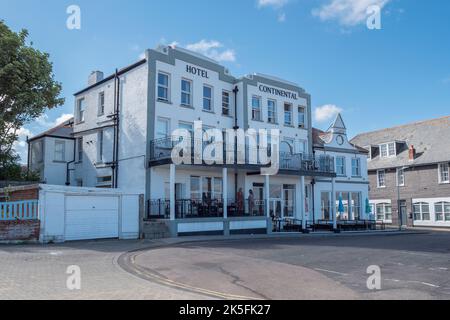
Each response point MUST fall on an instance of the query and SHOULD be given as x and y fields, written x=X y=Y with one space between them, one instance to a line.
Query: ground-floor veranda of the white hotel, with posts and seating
x=193 y=199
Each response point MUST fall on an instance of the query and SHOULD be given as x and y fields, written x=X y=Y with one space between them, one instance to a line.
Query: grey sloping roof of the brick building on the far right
x=430 y=138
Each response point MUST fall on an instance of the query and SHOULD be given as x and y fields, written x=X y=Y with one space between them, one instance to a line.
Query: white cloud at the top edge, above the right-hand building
x=347 y=12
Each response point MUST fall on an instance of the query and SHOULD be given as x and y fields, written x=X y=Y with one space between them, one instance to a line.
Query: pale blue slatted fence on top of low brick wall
x=19 y=210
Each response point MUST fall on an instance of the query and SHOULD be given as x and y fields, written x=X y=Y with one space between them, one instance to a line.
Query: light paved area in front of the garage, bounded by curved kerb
x=39 y=272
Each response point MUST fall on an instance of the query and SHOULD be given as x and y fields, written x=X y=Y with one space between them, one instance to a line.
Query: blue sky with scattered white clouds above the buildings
x=377 y=78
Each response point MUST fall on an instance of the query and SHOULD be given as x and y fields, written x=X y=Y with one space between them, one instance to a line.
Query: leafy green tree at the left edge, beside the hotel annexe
x=27 y=89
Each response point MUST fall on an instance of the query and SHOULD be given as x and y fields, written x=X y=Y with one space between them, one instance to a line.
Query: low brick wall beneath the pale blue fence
x=19 y=230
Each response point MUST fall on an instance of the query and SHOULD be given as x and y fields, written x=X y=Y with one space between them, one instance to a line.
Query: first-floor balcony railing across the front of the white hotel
x=161 y=151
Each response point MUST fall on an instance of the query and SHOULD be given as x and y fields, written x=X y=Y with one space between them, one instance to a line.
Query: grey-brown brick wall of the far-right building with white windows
x=420 y=182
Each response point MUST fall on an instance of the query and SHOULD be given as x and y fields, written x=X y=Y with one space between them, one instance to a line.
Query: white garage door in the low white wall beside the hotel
x=92 y=217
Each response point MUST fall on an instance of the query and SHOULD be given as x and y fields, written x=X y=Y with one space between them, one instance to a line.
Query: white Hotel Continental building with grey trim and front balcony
x=122 y=131
